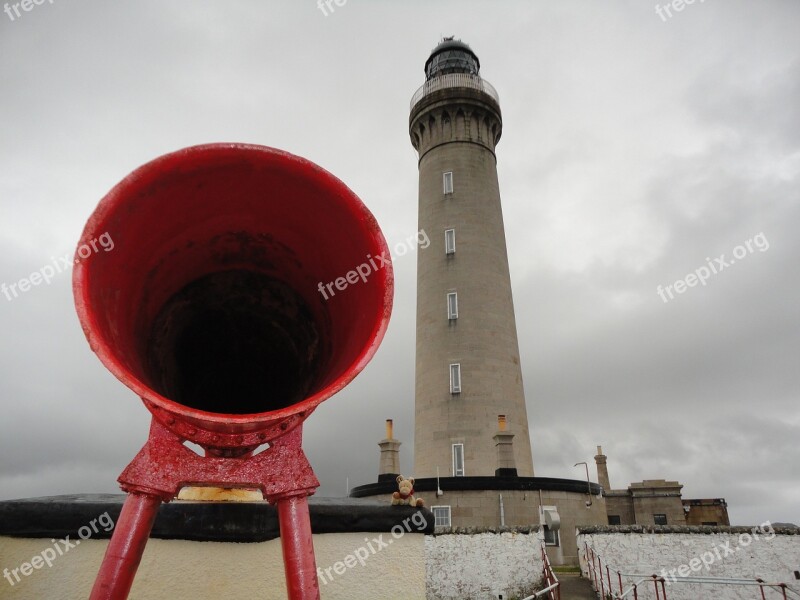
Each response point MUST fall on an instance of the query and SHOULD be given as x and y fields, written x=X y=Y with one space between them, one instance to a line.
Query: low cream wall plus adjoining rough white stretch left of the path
x=410 y=567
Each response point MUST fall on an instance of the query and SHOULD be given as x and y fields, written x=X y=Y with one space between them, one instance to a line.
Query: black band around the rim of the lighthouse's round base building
x=479 y=484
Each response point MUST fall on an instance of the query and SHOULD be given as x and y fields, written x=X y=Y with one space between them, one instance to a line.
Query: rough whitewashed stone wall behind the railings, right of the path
x=772 y=554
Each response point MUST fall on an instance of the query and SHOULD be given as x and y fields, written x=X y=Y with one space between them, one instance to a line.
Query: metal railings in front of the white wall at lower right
x=601 y=581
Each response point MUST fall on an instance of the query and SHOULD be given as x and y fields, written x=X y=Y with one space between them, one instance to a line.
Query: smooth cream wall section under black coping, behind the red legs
x=178 y=570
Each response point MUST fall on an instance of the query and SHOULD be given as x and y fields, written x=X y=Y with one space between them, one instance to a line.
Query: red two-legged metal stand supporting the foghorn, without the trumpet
x=164 y=466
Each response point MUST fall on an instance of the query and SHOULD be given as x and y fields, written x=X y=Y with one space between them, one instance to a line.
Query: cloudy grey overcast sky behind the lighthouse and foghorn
x=635 y=147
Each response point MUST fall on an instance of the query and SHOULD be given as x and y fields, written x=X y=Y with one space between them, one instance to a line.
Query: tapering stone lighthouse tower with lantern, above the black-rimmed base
x=467 y=364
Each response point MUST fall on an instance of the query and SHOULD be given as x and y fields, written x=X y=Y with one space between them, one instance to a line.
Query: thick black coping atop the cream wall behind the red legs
x=60 y=516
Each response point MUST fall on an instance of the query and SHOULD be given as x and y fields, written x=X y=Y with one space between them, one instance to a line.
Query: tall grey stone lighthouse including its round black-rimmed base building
x=473 y=463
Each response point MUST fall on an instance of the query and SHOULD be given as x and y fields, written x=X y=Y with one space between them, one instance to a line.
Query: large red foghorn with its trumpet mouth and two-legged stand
x=202 y=238
